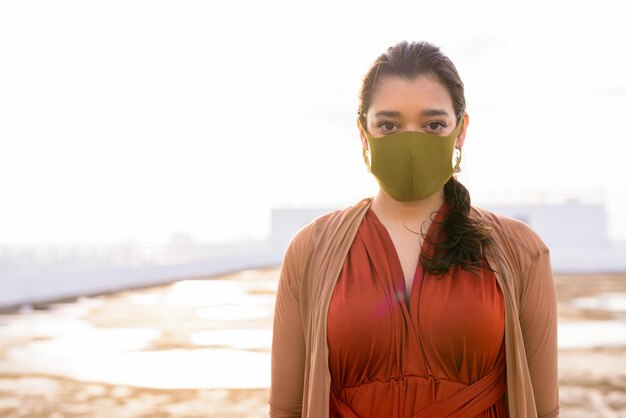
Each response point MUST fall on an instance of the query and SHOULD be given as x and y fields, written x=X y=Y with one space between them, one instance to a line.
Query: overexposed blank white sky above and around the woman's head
x=137 y=119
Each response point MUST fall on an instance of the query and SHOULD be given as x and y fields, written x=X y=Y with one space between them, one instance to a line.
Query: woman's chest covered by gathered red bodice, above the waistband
x=453 y=323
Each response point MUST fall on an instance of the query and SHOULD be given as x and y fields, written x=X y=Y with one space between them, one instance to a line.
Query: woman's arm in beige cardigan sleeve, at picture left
x=288 y=348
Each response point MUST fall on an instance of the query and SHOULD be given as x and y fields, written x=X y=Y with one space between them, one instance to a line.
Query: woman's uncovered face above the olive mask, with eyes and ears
x=422 y=104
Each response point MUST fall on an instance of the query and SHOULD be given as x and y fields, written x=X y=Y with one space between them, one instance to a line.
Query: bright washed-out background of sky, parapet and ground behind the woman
x=156 y=157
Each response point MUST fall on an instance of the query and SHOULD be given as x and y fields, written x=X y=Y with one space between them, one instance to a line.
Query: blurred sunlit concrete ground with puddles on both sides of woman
x=200 y=348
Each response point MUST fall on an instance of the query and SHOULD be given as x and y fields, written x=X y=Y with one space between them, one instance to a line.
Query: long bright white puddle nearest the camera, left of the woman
x=169 y=369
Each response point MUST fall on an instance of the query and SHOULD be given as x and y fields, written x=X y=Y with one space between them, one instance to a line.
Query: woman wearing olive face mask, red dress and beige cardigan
x=413 y=303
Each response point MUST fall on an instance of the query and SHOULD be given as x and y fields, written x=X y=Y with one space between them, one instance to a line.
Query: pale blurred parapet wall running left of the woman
x=45 y=274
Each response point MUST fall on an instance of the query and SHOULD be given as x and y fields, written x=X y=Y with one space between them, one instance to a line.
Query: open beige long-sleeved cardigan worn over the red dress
x=312 y=263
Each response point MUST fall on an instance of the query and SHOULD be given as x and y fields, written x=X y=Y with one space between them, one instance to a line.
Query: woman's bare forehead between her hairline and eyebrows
x=409 y=96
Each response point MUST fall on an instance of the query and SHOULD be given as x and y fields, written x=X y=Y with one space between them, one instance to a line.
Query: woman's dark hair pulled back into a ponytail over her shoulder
x=465 y=237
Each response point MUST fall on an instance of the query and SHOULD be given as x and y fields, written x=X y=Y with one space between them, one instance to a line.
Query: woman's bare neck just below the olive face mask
x=412 y=213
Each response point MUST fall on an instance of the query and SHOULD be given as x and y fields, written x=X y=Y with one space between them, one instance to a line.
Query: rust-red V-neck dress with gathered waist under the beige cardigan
x=441 y=355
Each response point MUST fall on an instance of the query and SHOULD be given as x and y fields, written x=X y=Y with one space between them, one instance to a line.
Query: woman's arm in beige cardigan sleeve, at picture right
x=538 y=319
